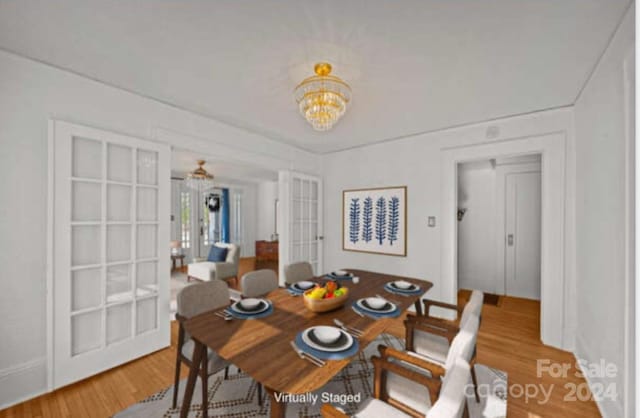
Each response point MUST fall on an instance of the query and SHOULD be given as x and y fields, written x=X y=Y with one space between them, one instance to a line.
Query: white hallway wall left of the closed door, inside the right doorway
x=477 y=230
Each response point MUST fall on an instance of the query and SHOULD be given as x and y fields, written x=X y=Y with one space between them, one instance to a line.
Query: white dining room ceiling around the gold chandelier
x=414 y=65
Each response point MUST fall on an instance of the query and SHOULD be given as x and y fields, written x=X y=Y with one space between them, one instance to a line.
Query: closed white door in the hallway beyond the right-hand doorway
x=522 y=241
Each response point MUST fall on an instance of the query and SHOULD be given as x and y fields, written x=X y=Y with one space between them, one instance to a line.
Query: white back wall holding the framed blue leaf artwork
x=416 y=163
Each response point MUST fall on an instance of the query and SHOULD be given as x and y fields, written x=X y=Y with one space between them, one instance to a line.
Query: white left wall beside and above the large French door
x=30 y=94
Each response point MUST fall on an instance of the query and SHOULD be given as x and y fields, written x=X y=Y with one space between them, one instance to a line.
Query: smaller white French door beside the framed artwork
x=300 y=220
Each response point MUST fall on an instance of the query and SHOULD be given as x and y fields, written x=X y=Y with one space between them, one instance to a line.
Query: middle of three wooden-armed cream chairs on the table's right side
x=440 y=346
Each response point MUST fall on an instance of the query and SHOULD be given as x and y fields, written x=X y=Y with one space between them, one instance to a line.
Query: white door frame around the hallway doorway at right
x=552 y=147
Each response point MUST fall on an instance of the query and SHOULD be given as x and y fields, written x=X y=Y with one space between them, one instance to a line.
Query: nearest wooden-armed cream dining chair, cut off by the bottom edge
x=442 y=398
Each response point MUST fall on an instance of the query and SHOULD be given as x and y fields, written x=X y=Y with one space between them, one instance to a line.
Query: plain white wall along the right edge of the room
x=601 y=199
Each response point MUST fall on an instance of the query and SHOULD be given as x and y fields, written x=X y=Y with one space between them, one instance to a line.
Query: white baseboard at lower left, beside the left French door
x=10 y=375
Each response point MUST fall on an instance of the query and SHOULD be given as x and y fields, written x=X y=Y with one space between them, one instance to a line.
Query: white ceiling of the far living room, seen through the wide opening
x=183 y=162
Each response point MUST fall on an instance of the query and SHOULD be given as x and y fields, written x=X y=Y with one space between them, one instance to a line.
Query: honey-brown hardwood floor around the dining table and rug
x=508 y=340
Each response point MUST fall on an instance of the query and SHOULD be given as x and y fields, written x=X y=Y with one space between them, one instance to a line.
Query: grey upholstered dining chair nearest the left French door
x=193 y=300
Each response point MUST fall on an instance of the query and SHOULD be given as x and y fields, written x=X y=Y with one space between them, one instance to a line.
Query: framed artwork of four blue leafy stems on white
x=375 y=220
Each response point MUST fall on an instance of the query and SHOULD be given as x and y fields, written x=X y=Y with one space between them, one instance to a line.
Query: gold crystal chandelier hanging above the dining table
x=322 y=99
